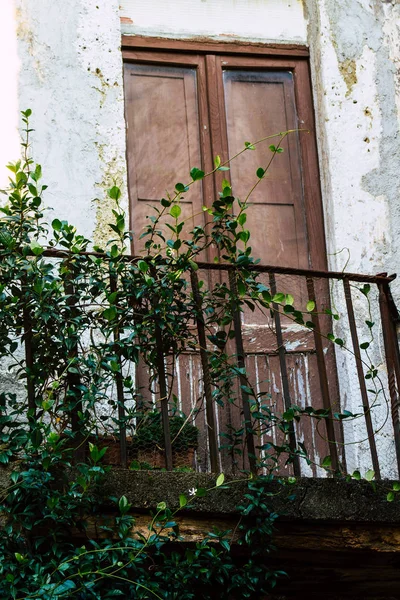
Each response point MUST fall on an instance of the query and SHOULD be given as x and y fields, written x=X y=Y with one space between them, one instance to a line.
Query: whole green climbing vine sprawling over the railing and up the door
x=74 y=323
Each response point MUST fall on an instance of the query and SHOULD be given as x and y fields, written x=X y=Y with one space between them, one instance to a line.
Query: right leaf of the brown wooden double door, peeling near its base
x=257 y=97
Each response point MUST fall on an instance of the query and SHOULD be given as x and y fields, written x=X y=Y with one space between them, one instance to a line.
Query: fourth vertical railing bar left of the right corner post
x=243 y=383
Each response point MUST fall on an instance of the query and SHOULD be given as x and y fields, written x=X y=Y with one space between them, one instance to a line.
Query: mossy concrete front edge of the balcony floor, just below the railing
x=327 y=500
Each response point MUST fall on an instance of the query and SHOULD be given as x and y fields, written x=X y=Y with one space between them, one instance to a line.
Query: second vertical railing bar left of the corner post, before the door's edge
x=323 y=377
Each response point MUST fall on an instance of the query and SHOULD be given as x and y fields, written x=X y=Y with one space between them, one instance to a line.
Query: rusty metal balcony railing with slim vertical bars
x=316 y=287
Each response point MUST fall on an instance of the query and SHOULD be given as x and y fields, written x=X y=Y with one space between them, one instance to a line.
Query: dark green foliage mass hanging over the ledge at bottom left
x=46 y=550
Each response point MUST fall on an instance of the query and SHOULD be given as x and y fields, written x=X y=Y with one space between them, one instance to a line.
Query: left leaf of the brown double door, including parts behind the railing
x=167 y=135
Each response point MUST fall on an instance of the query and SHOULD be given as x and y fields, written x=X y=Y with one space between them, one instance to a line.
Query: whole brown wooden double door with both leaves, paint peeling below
x=183 y=109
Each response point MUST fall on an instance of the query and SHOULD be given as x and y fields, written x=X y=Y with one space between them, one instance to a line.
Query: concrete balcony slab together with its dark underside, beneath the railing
x=336 y=539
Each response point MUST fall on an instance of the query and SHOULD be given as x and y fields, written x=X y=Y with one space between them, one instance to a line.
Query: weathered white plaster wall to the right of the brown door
x=355 y=60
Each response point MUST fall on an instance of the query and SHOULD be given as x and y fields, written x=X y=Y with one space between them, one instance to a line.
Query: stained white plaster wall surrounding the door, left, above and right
x=64 y=62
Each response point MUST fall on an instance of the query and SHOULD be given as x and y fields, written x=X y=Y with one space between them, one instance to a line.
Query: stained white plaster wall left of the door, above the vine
x=71 y=77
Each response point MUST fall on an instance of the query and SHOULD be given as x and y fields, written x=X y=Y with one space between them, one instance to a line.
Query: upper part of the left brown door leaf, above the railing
x=163 y=140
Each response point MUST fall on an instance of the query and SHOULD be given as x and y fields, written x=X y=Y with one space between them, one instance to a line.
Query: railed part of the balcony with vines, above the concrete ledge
x=299 y=379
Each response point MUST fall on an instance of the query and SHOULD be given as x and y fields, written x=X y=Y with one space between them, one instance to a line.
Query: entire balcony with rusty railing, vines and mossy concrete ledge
x=170 y=377
